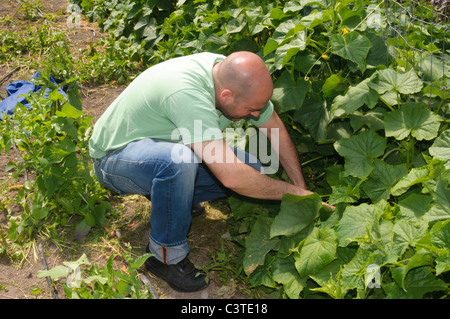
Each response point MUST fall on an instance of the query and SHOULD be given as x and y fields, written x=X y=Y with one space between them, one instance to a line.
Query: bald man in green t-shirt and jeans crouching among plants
x=152 y=141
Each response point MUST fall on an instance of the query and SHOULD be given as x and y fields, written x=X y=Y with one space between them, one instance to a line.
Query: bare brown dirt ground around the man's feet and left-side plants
x=18 y=280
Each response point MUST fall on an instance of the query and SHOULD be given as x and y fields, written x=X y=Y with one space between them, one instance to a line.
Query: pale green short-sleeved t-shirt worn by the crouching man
x=172 y=101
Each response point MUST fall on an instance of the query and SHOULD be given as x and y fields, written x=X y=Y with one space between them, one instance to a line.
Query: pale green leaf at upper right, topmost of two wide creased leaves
x=404 y=83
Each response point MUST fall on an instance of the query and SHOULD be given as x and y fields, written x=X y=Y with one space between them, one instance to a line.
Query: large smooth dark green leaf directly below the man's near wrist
x=297 y=213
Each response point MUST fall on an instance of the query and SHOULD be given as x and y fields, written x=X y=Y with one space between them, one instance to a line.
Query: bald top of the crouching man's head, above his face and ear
x=245 y=74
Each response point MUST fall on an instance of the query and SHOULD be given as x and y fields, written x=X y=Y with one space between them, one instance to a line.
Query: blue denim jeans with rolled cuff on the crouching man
x=171 y=177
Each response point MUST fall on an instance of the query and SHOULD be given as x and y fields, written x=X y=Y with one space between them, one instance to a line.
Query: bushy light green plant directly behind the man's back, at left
x=52 y=138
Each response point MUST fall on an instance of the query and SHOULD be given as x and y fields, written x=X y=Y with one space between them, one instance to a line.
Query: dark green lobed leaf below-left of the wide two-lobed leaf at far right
x=360 y=151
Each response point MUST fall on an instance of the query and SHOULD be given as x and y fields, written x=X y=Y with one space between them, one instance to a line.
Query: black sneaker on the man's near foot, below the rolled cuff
x=183 y=277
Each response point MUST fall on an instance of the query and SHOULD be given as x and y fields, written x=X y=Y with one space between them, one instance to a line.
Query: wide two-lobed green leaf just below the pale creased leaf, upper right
x=412 y=118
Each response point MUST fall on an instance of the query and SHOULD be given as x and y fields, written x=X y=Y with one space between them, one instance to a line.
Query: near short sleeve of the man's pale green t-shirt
x=193 y=114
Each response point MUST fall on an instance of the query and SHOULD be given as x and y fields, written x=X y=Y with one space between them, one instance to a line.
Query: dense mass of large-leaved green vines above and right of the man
x=372 y=137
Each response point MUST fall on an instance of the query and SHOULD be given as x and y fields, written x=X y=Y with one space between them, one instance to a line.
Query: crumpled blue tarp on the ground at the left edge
x=17 y=92
